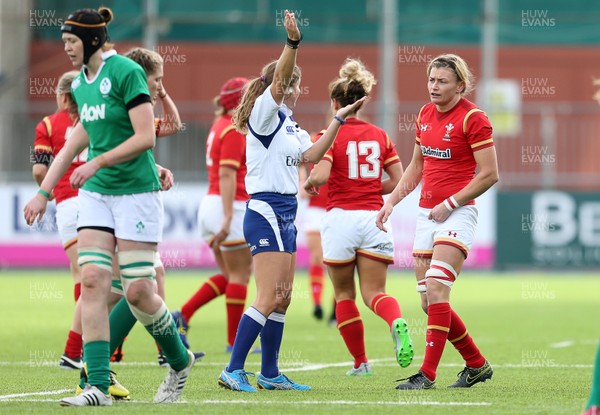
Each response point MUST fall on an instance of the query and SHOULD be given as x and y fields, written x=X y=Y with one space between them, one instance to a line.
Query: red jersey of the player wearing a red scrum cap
x=226 y=147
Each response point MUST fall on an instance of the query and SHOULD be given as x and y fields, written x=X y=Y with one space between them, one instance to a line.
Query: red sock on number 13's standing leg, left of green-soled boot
x=352 y=330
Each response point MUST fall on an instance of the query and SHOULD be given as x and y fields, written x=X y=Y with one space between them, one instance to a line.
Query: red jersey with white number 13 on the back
x=359 y=154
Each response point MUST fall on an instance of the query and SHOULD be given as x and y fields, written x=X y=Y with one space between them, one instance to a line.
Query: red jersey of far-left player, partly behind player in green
x=50 y=136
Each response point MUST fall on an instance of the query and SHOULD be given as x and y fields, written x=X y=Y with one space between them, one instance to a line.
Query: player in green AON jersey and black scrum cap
x=119 y=200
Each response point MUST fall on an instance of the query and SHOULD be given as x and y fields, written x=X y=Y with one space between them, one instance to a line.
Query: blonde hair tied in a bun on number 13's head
x=354 y=82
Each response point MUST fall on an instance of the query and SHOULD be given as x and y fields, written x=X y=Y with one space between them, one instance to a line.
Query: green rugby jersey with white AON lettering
x=102 y=104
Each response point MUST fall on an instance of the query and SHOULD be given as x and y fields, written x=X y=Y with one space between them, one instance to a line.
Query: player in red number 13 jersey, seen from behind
x=353 y=168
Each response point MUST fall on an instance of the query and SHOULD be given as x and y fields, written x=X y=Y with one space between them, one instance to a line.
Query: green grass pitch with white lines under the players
x=539 y=332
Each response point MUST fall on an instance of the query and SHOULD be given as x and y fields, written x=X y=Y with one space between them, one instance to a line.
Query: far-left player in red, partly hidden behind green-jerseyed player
x=50 y=136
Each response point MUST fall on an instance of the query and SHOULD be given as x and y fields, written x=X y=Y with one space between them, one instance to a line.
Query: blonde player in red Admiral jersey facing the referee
x=454 y=137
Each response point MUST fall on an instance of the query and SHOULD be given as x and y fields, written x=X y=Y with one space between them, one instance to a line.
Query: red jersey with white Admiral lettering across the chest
x=448 y=141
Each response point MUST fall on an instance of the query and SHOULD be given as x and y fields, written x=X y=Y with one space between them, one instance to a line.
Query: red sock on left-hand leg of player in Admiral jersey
x=438 y=326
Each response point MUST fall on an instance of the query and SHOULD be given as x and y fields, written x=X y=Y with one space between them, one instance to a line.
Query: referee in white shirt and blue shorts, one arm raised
x=275 y=146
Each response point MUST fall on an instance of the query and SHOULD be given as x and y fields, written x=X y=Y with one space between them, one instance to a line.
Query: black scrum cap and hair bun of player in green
x=90 y=26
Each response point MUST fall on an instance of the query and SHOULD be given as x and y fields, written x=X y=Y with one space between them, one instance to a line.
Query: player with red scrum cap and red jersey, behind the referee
x=221 y=216
